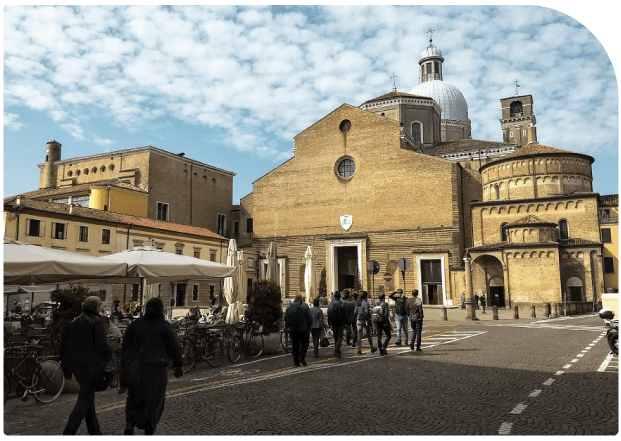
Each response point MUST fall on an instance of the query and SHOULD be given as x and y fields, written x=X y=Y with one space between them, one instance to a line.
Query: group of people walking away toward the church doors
x=351 y=319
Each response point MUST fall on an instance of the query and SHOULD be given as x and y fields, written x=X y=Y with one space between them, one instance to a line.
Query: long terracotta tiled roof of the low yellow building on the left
x=109 y=216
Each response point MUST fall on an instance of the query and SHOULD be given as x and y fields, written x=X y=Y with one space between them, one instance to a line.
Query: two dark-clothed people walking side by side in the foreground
x=84 y=353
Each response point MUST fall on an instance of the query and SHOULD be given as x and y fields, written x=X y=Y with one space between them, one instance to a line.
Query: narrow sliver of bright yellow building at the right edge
x=609 y=230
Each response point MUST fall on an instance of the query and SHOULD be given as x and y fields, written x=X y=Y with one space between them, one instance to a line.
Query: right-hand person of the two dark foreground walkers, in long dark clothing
x=152 y=339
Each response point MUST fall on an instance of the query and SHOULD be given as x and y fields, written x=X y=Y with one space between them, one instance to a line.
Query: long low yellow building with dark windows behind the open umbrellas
x=98 y=233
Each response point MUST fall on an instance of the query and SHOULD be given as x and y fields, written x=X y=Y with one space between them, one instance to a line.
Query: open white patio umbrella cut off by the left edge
x=24 y=264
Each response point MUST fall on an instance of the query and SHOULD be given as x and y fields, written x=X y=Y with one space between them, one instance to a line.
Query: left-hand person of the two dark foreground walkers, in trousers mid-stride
x=83 y=352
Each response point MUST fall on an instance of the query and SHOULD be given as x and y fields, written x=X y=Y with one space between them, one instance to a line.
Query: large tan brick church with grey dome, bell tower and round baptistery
x=378 y=183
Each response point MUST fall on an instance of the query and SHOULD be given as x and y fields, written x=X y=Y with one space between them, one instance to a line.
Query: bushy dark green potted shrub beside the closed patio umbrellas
x=265 y=308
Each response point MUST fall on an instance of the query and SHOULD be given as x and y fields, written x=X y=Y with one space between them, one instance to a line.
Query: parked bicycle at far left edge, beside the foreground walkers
x=40 y=376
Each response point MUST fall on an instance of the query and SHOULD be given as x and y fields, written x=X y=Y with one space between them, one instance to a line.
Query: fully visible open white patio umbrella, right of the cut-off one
x=147 y=265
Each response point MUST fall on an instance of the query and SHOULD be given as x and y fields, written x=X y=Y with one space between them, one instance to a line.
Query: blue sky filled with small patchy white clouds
x=231 y=86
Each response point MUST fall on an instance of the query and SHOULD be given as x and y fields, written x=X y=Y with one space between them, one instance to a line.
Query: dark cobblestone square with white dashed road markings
x=506 y=377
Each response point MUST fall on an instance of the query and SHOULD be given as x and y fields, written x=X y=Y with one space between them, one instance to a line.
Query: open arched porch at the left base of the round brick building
x=488 y=280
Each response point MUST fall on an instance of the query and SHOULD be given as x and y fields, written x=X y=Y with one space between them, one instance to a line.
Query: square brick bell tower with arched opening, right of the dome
x=518 y=119
